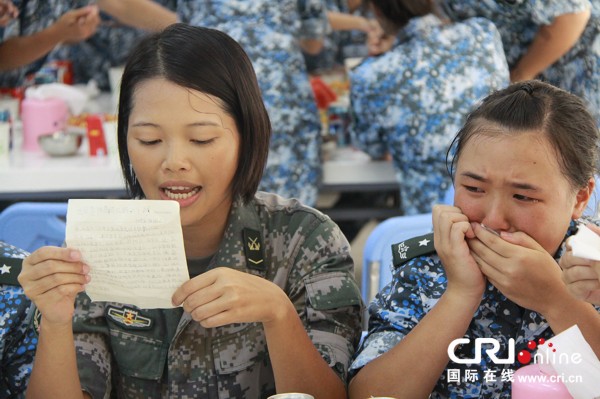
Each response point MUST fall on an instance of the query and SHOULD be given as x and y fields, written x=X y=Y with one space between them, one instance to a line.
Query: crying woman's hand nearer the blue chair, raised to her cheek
x=451 y=231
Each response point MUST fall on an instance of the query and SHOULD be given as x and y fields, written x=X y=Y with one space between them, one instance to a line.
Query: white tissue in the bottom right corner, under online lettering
x=569 y=357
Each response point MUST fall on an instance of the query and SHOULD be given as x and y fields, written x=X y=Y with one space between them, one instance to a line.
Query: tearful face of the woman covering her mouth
x=513 y=183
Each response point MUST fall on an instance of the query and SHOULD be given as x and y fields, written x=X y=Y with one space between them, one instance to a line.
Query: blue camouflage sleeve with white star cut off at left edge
x=18 y=339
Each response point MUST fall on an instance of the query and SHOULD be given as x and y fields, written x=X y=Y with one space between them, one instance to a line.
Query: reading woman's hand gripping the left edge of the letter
x=52 y=277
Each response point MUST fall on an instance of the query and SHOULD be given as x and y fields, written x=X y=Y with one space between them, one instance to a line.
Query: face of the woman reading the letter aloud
x=183 y=147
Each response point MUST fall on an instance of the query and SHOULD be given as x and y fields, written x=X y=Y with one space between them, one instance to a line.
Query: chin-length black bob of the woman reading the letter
x=209 y=61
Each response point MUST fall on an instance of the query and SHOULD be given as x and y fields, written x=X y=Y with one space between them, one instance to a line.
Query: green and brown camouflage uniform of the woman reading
x=160 y=353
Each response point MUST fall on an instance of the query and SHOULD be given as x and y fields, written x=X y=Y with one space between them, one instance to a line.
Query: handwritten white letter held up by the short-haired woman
x=134 y=249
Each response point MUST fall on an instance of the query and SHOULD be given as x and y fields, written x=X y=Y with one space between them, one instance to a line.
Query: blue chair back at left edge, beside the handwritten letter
x=31 y=225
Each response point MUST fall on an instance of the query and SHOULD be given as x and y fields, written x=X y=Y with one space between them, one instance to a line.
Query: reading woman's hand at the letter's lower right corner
x=223 y=296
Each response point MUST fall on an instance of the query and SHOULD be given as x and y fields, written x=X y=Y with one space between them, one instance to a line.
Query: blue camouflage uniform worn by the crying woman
x=419 y=280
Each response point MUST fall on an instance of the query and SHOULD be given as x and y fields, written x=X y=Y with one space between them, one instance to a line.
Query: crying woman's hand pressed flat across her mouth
x=518 y=267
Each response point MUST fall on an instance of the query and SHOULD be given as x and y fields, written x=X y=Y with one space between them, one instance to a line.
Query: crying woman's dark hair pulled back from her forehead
x=535 y=106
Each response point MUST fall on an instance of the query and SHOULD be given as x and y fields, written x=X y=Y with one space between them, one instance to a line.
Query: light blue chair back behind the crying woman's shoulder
x=377 y=253
